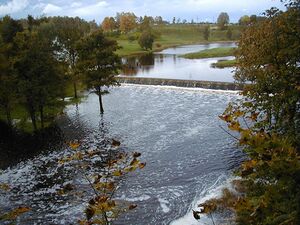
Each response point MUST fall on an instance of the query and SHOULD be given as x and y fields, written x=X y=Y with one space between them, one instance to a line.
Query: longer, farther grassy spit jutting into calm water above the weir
x=210 y=53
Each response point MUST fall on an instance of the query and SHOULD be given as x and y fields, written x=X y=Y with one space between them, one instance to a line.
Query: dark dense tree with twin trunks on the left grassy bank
x=37 y=73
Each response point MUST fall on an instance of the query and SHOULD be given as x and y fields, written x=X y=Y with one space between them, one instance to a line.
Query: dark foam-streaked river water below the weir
x=177 y=131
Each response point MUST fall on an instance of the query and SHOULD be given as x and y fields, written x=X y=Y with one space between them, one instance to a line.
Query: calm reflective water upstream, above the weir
x=169 y=64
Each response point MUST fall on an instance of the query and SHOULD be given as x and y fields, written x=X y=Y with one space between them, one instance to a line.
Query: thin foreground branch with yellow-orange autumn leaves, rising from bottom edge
x=102 y=208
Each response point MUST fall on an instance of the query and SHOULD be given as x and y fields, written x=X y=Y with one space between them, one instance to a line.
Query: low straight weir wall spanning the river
x=218 y=85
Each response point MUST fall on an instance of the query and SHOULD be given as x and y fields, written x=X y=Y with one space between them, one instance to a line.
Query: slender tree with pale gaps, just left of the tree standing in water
x=68 y=31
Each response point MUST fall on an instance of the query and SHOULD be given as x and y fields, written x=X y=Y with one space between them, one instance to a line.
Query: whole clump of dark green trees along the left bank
x=40 y=57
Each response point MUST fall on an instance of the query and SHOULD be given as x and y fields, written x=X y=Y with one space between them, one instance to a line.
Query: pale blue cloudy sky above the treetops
x=198 y=10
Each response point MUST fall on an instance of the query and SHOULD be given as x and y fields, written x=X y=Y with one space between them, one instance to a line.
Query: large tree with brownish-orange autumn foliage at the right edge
x=268 y=57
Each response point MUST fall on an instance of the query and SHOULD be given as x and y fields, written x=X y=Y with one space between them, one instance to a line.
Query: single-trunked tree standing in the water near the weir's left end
x=99 y=62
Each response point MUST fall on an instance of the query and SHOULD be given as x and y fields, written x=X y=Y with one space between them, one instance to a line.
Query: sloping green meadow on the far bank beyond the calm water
x=174 y=35
